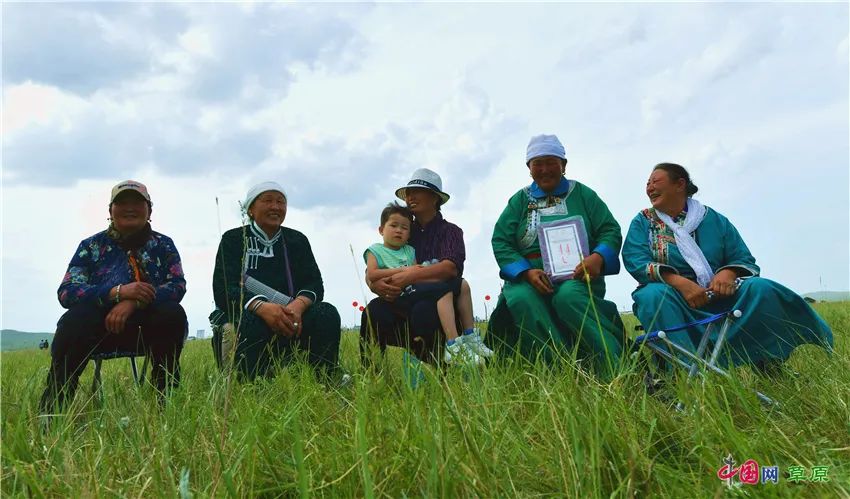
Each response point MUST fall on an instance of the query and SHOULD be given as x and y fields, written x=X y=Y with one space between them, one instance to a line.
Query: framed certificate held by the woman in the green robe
x=563 y=245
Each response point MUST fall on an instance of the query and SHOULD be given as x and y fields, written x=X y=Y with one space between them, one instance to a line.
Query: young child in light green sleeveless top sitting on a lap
x=391 y=256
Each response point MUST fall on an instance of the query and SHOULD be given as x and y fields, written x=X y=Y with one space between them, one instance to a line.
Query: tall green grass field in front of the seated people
x=511 y=429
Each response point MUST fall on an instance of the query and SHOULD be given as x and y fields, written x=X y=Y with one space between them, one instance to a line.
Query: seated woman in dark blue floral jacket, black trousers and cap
x=122 y=290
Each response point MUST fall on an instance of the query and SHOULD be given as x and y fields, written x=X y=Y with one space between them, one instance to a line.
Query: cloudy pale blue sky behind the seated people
x=340 y=103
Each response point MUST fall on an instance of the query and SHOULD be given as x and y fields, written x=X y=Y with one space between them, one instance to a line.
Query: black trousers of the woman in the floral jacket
x=158 y=331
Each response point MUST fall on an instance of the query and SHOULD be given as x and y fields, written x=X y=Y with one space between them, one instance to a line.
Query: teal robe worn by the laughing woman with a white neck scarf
x=775 y=320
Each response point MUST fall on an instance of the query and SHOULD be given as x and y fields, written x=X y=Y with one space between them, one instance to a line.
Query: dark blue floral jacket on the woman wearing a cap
x=99 y=264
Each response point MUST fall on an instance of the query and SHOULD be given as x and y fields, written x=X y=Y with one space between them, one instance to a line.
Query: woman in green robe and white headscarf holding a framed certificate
x=539 y=313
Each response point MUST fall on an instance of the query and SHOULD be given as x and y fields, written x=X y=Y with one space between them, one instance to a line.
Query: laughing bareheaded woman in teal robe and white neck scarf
x=690 y=263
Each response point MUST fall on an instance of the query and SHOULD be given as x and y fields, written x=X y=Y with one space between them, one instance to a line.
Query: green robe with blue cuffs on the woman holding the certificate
x=576 y=314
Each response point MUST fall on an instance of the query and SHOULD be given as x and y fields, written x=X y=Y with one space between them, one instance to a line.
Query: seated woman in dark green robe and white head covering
x=268 y=293
